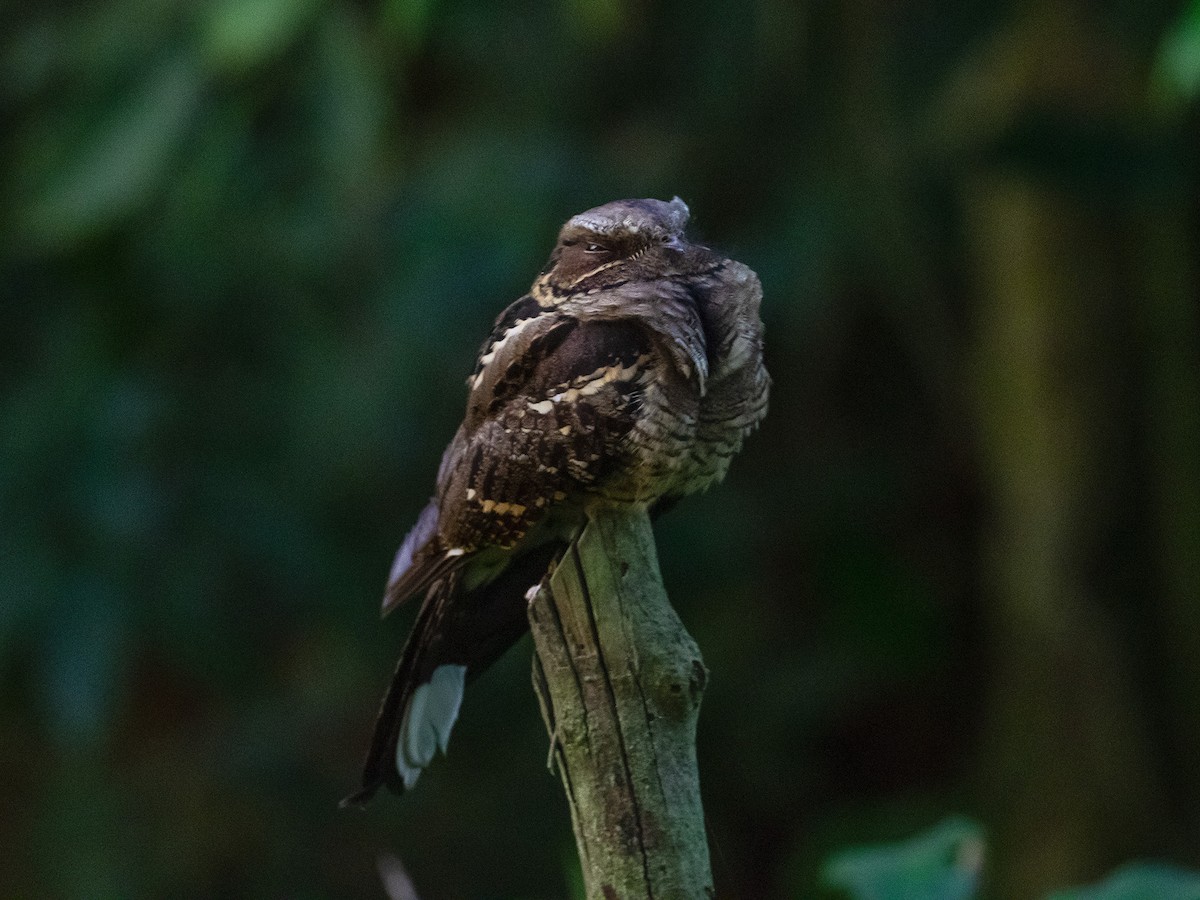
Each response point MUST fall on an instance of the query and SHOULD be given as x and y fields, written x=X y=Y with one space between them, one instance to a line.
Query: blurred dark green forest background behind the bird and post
x=250 y=249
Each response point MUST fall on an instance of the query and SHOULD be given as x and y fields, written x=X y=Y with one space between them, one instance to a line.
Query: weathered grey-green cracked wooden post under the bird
x=620 y=682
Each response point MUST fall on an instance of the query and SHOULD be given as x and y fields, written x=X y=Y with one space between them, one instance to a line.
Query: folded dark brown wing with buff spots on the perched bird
x=549 y=411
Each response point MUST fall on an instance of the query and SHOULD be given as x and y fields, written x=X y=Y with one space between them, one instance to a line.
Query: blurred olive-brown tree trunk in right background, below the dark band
x=1069 y=753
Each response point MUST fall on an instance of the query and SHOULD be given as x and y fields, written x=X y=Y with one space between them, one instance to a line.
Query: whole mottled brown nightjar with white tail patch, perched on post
x=629 y=375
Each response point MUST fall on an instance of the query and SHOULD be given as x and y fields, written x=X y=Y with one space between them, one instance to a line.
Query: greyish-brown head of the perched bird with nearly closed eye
x=621 y=242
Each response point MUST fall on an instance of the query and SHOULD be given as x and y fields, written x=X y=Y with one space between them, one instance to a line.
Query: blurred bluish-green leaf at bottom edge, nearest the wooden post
x=941 y=865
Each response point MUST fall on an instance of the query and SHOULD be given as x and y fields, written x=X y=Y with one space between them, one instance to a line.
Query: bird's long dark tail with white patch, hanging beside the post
x=455 y=638
